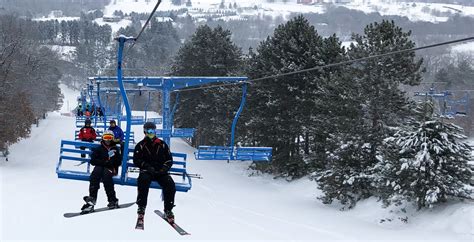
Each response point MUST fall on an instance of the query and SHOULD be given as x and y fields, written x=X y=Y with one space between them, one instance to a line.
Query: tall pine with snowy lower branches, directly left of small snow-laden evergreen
x=371 y=109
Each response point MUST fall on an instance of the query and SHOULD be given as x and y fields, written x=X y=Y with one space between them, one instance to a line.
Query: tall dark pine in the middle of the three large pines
x=286 y=104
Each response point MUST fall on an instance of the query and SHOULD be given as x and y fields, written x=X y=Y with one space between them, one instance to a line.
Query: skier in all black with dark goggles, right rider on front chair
x=154 y=159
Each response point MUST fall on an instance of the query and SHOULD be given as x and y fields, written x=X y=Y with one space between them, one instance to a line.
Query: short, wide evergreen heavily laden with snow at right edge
x=425 y=162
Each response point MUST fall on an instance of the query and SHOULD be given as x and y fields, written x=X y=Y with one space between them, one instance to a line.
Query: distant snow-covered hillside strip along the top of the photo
x=414 y=10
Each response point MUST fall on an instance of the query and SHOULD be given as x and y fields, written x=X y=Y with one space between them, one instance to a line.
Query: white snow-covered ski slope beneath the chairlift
x=226 y=205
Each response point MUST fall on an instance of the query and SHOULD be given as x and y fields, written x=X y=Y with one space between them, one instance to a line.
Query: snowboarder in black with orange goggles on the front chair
x=106 y=158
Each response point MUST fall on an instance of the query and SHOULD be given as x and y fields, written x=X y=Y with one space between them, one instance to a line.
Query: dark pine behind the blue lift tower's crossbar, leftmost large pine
x=210 y=52
